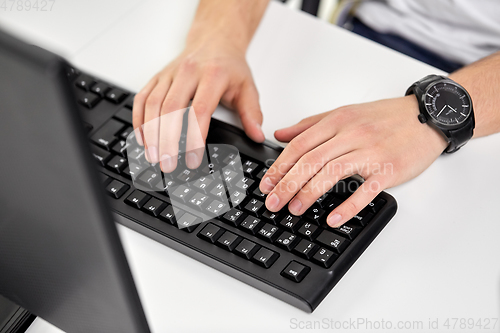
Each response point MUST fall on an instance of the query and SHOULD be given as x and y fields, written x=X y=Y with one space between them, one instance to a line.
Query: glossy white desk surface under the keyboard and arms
x=437 y=259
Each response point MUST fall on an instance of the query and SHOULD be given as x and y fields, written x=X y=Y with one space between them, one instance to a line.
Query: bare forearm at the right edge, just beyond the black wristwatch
x=482 y=81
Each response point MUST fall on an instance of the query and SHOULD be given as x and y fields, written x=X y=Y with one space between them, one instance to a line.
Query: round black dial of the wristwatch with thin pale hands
x=447 y=103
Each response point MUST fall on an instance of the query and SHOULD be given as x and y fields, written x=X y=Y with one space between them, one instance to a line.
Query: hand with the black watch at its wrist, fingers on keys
x=381 y=141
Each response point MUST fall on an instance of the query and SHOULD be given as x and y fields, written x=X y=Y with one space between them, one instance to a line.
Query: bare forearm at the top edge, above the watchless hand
x=235 y=21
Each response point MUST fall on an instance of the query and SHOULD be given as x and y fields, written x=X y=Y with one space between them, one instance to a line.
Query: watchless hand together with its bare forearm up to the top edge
x=211 y=69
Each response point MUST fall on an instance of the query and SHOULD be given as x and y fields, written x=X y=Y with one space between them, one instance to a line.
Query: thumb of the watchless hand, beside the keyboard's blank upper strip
x=248 y=107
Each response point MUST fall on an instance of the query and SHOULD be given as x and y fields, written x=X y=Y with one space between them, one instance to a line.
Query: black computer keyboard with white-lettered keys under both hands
x=216 y=213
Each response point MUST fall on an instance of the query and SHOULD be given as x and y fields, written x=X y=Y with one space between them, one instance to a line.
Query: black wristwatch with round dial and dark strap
x=447 y=107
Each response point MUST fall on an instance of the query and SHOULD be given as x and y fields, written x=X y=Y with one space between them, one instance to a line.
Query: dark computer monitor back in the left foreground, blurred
x=60 y=253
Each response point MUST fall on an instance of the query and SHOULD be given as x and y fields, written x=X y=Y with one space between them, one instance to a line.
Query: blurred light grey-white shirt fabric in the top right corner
x=458 y=30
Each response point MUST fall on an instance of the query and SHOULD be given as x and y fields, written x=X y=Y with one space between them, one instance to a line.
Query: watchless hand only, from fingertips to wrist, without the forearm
x=209 y=70
